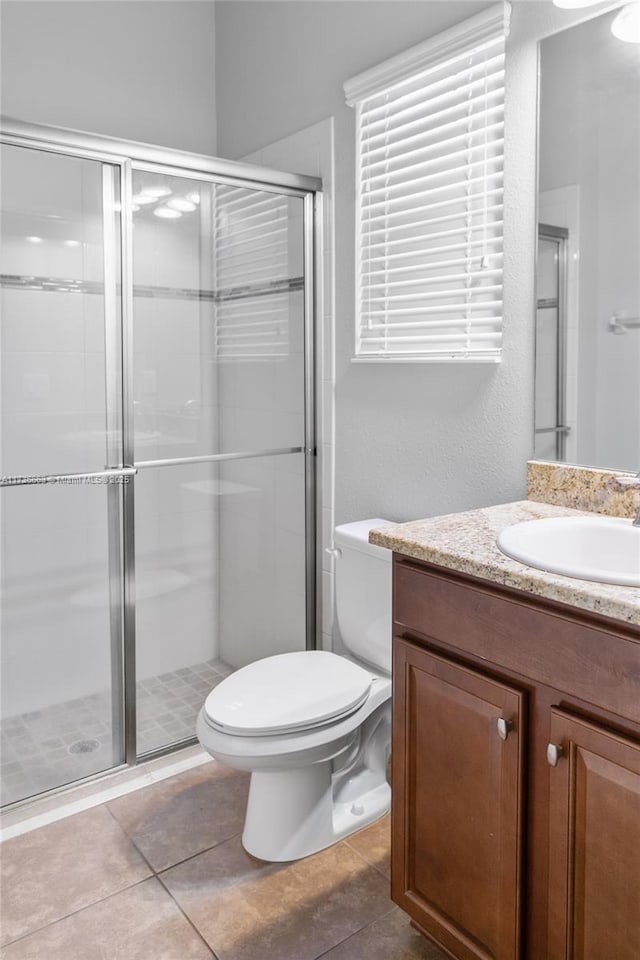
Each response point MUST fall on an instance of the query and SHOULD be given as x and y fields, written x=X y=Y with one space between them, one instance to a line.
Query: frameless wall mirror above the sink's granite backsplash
x=587 y=403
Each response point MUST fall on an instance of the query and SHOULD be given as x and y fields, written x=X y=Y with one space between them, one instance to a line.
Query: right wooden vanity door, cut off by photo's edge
x=594 y=835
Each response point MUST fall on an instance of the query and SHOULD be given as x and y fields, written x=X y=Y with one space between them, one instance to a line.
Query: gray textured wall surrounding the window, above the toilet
x=411 y=439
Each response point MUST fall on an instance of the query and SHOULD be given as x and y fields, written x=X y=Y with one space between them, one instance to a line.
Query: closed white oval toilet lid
x=288 y=692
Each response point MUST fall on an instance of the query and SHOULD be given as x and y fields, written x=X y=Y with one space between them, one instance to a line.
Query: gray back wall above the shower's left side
x=137 y=70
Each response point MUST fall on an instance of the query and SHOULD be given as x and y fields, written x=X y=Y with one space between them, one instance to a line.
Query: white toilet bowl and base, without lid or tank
x=309 y=790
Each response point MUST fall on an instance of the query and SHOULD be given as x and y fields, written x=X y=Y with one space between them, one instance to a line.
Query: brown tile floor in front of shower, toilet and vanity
x=160 y=874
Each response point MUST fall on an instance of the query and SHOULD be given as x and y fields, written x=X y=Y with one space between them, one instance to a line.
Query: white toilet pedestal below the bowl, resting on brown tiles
x=293 y=813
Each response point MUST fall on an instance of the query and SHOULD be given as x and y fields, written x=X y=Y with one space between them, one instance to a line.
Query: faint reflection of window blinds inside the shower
x=252 y=266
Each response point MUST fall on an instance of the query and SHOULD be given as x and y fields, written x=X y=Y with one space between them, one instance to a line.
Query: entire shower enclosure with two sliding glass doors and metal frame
x=158 y=457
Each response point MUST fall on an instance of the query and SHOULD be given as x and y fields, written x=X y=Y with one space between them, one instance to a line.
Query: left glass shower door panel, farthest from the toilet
x=61 y=492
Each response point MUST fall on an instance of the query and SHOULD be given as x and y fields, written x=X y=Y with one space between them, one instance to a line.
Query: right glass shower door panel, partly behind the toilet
x=219 y=414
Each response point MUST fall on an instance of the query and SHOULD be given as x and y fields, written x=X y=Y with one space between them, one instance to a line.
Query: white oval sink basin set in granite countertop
x=605 y=549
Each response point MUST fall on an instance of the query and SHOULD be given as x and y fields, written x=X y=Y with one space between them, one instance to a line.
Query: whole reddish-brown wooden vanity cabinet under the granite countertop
x=516 y=772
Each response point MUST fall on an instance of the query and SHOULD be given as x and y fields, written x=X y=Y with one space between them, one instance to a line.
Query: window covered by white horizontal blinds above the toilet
x=430 y=127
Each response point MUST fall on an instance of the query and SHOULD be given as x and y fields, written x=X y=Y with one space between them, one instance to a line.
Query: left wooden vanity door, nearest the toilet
x=457 y=799
